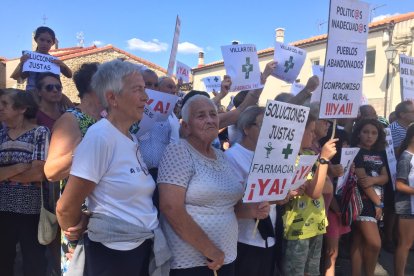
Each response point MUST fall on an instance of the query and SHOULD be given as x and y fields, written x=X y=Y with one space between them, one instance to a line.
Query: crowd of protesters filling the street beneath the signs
x=169 y=202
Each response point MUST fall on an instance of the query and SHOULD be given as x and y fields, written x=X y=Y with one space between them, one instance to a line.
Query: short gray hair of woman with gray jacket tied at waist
x=110 y=77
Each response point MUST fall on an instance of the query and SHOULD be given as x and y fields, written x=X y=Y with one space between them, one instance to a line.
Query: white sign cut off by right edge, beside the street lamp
x=407 y=77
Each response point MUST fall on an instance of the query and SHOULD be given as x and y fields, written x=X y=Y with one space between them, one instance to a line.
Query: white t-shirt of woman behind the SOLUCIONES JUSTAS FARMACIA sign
x=240 y=159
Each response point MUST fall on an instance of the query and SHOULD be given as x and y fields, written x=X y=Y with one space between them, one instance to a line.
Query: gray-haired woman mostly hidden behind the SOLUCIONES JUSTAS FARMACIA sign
x=255 y=254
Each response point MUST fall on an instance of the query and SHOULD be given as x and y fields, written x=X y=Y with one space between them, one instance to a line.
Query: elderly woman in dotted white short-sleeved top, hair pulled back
x=200 y=197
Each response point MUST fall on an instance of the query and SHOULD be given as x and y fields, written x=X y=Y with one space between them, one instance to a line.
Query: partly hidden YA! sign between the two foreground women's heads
x=161 y=104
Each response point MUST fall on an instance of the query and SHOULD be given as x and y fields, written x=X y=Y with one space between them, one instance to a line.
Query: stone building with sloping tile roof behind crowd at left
x=74 y=57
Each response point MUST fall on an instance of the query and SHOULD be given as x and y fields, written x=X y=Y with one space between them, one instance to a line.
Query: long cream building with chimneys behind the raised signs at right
x=401 y=27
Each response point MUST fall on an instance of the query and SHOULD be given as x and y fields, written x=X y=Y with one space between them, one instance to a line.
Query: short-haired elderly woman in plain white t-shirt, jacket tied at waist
x=108 y=171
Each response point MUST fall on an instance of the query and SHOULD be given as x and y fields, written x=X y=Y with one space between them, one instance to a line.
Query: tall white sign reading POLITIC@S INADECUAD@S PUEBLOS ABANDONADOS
x=345 y=58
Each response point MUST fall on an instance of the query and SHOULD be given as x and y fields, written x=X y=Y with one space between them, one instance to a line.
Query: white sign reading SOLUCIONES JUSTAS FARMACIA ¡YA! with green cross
x=278 y=145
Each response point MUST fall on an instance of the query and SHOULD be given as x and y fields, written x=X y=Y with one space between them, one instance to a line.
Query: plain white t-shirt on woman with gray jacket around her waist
x=123 y=190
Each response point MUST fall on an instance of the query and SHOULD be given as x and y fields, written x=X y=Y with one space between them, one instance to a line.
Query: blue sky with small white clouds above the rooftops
x=145 y=28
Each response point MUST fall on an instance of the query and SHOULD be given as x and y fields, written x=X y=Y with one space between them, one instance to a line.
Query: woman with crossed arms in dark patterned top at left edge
x=23 y=149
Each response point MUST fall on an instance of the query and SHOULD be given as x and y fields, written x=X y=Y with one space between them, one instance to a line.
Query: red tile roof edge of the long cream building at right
x=372 y=25
